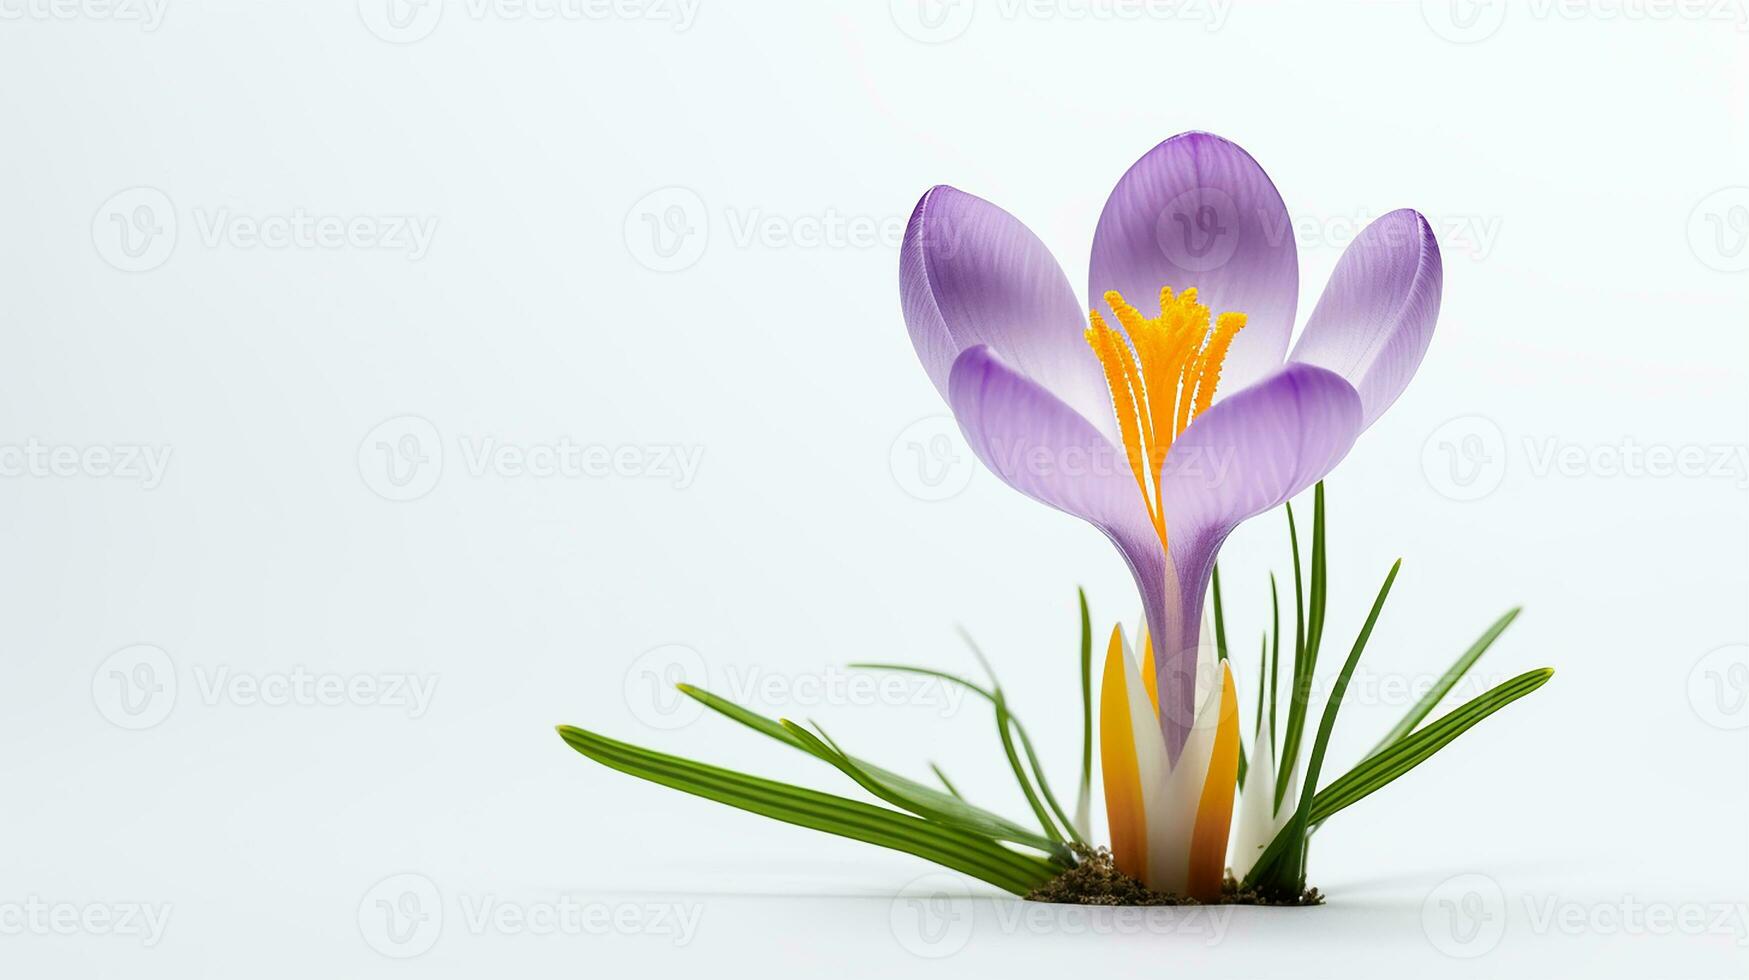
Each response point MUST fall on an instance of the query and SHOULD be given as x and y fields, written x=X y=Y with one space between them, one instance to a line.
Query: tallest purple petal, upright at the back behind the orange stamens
x=1197 y=211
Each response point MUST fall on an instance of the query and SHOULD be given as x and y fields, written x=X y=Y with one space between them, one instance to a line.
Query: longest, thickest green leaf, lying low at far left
x=949 y=848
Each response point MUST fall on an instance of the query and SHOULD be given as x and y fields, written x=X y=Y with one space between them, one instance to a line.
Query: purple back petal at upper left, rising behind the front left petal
x=972 y=274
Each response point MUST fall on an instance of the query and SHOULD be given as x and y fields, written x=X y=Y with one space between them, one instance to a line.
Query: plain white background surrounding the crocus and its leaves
x=1585 y=167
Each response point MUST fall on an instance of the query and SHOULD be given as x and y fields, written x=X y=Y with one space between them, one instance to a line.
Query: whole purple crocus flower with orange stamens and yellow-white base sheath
x=1166 y=421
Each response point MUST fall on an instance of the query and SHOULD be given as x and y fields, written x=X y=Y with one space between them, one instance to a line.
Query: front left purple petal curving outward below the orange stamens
x=1047 y=451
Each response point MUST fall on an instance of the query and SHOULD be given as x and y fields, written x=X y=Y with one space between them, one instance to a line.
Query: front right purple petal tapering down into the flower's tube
x=1248 y=454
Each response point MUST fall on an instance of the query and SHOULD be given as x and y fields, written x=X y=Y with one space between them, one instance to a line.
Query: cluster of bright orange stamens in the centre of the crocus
x=1162 y=374
